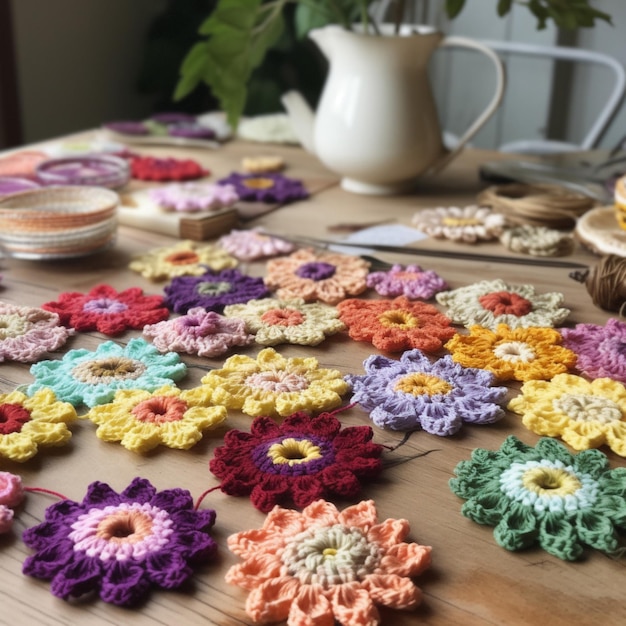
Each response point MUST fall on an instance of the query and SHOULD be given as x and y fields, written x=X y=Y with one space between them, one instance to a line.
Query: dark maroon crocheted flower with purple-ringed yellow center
x=303 y=459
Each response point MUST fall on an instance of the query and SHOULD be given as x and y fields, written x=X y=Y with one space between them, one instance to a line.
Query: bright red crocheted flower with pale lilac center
x=107 y=311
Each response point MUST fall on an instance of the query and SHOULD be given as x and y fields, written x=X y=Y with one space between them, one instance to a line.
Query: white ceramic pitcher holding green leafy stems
x=377 y=124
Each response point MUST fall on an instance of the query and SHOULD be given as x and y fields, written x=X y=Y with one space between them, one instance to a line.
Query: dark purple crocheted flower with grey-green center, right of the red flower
x=212 y=291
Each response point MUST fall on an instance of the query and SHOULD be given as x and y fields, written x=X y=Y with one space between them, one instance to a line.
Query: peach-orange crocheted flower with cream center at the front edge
x=324 y=566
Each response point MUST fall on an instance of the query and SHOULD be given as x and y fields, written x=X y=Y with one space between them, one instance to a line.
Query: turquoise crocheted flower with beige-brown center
x=91 y=378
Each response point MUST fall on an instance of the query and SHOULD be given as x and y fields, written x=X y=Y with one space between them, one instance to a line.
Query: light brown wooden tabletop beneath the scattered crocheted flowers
x=472 y=580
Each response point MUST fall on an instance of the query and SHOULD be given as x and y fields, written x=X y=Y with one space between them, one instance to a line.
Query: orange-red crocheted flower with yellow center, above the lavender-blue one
x=396 y=325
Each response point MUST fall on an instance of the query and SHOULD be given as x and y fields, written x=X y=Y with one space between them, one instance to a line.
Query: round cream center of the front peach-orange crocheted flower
x=331 y=555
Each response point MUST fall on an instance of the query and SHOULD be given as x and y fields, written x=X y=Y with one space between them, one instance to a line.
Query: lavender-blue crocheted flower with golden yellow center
x=415 y=393
